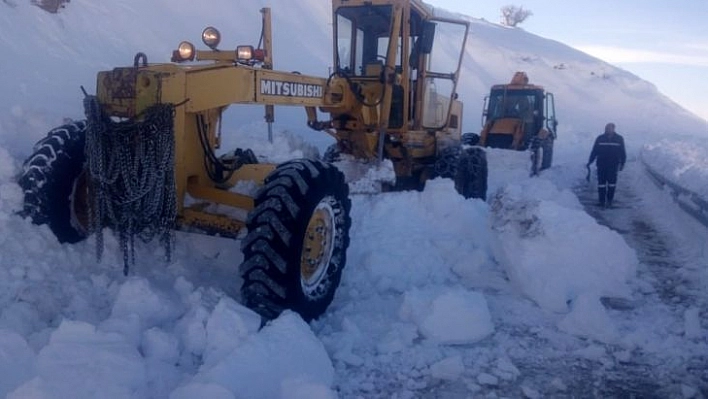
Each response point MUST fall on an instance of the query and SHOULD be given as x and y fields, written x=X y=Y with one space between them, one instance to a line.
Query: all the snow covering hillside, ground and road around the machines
x=525 y=295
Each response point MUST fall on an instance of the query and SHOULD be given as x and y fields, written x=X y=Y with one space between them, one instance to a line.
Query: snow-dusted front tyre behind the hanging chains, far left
x=54 y=183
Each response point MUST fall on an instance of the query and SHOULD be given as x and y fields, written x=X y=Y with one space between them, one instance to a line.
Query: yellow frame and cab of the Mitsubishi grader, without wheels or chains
x=392 y=95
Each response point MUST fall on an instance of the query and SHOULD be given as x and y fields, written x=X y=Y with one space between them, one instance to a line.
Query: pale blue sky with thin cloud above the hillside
x=663 y=42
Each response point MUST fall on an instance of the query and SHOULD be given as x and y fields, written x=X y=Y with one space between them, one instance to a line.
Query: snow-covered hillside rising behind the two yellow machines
x=90 y=36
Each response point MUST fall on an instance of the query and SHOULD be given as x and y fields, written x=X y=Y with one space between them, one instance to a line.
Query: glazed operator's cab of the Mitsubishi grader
x=398 y=46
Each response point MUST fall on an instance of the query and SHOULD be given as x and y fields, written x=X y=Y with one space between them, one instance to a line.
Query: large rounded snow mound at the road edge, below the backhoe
x=550 y=250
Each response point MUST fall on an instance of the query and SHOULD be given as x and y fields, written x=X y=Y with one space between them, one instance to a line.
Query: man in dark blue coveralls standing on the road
x=611 y=156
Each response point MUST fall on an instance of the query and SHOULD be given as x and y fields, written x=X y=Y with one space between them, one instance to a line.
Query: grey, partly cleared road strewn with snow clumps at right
x=667 y=301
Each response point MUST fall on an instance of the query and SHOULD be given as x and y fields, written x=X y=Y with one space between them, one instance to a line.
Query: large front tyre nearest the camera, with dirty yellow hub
x=298 y=234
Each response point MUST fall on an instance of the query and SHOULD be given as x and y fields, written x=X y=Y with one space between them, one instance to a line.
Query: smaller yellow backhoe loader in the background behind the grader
x=520 y=116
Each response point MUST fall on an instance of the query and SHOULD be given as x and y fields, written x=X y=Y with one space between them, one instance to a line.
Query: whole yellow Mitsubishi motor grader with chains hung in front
x=144 y=162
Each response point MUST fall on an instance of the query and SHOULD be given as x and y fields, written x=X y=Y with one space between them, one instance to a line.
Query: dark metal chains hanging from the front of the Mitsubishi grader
x=131 y=167
